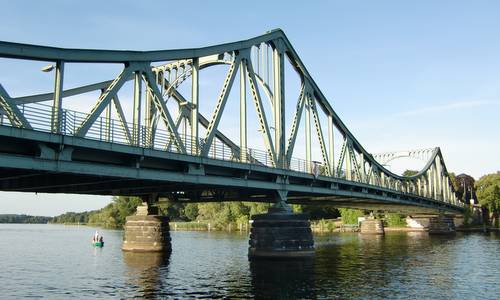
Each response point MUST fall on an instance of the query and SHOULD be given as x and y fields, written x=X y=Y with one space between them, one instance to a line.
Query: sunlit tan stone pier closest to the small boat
x=146 y=231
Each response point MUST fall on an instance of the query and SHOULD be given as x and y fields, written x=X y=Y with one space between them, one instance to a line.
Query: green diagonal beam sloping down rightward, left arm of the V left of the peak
x=161 y=107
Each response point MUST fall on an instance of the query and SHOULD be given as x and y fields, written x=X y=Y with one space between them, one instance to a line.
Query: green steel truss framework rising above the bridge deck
x=360 y=166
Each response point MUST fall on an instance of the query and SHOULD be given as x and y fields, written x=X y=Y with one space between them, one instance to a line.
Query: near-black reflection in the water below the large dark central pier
x=283 y=279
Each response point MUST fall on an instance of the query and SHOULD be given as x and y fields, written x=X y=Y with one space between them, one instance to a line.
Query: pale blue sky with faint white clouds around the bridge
x=400 y=74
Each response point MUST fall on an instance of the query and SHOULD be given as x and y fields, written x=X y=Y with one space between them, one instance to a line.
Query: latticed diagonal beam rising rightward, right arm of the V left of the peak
x=219 y=108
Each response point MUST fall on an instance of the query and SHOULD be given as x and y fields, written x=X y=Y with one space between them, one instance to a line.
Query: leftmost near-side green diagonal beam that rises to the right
x=105 y=99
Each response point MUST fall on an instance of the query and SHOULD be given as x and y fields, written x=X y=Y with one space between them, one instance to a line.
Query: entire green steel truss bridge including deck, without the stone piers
x=166 y=146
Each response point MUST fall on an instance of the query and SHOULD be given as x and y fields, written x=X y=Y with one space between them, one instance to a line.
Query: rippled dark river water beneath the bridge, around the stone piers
x=57 y=262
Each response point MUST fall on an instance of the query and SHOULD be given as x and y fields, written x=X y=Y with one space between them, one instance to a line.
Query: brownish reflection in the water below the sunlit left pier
x=146 y=270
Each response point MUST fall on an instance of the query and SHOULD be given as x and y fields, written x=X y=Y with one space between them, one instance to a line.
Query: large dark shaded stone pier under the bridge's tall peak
x=281 y=235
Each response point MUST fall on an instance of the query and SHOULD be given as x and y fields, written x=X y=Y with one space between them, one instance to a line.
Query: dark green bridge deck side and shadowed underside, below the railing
x=32 y=161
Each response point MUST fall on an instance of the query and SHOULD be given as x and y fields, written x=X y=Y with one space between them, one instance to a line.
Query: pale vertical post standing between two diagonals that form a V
x=195 y=93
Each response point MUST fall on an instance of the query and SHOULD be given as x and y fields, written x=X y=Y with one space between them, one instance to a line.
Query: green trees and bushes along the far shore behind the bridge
x=233 y=216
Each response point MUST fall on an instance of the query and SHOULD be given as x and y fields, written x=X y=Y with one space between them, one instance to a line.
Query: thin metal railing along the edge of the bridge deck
x=115 y=131
